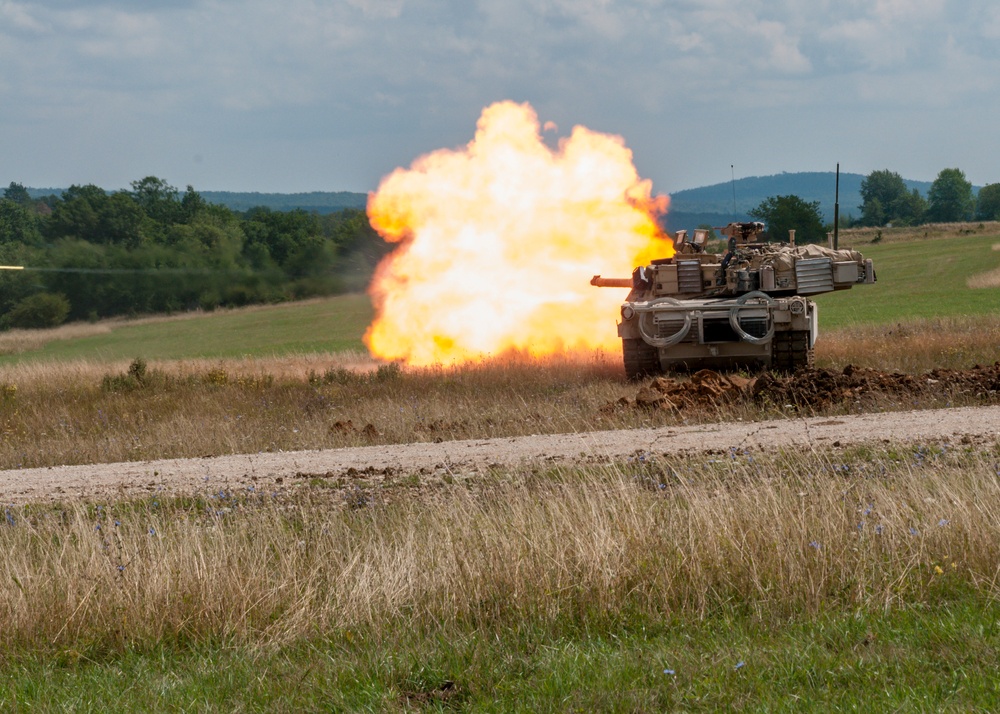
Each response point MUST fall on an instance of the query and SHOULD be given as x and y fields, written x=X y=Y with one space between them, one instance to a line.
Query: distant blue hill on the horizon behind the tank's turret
x=713 y=205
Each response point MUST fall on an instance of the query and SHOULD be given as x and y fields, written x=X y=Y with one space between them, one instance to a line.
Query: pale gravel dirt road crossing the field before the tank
x=268 y=471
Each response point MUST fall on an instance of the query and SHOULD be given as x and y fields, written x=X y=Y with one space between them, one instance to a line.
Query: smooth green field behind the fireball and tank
x=916 y=279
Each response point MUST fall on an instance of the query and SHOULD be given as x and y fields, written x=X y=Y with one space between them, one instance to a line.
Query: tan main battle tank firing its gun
x=746 y=307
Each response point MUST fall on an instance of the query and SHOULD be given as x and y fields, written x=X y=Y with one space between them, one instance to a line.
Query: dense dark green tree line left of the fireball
x=91 y=254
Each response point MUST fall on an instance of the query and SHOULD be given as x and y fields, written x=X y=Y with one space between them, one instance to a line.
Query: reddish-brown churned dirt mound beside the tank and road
x=811 y=389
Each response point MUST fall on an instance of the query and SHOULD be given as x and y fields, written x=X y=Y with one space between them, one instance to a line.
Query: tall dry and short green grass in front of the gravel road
x=770 y=580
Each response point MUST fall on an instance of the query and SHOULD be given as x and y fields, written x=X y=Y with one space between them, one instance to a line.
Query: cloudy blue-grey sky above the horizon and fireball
x=304 y=95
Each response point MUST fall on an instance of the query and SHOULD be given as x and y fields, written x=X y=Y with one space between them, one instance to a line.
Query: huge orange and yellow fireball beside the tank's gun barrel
x=498 y=243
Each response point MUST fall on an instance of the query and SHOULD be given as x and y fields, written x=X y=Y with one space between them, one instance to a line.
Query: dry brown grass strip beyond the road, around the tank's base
x=82 y=412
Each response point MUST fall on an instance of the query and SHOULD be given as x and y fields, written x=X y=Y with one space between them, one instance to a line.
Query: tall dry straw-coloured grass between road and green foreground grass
x=776 y=534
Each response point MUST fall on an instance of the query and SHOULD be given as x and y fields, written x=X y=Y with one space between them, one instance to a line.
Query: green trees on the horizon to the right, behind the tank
x=886 y=200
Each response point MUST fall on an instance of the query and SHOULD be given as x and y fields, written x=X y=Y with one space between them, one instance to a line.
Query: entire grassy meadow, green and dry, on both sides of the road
x=829 y=578
